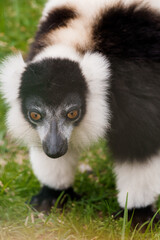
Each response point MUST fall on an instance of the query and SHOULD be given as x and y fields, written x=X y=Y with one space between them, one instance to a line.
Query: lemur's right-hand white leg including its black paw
x=141 y=181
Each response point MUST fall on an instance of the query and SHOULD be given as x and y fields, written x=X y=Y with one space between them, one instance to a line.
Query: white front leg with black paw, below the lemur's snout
x=57 y=176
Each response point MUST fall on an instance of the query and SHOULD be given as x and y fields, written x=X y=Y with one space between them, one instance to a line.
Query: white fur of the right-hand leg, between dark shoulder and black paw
x=140 y=180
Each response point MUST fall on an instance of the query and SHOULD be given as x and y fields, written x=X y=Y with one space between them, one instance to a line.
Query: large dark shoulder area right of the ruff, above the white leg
x=135 y=108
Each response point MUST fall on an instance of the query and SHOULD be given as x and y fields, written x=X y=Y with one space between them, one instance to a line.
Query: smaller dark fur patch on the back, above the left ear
x=57 y=18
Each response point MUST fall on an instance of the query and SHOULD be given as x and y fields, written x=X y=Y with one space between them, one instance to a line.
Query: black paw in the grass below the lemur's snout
x=48 y=198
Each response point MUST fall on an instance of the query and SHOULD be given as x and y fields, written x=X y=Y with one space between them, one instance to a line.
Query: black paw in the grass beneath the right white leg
x=139 y=216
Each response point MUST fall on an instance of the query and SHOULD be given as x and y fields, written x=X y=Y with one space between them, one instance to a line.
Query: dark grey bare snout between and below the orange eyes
x=54 y=144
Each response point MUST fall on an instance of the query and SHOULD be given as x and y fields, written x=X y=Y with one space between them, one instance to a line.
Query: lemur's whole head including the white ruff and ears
x=56 y=93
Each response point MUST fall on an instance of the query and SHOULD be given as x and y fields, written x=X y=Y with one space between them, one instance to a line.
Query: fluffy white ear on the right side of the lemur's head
x=95 y=68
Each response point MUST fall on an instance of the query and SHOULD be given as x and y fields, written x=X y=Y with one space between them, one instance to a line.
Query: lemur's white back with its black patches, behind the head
x=125 y=29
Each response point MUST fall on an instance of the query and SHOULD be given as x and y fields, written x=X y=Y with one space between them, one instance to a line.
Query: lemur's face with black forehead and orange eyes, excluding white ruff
x=53 y=100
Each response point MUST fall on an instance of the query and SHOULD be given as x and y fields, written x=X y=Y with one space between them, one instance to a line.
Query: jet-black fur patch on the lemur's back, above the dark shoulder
x=128 y=32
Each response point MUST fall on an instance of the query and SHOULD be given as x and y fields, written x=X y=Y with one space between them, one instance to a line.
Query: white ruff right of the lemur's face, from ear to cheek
x=95 y=68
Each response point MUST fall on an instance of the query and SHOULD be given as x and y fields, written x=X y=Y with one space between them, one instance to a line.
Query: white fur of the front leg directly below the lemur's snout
x=55 y=173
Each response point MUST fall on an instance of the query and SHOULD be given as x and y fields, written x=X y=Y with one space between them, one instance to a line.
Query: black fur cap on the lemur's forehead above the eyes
x=53 y=81
